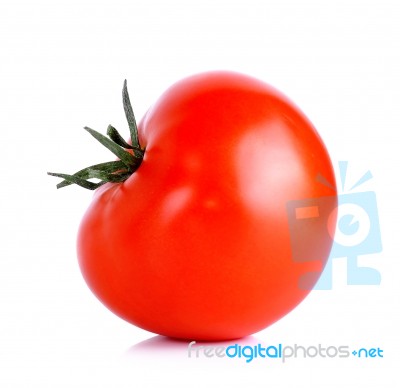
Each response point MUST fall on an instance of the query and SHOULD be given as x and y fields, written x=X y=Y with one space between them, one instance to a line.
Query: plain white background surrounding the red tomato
x=62 y=67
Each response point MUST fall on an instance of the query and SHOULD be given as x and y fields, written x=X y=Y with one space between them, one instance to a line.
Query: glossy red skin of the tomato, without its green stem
x=196 y=243
